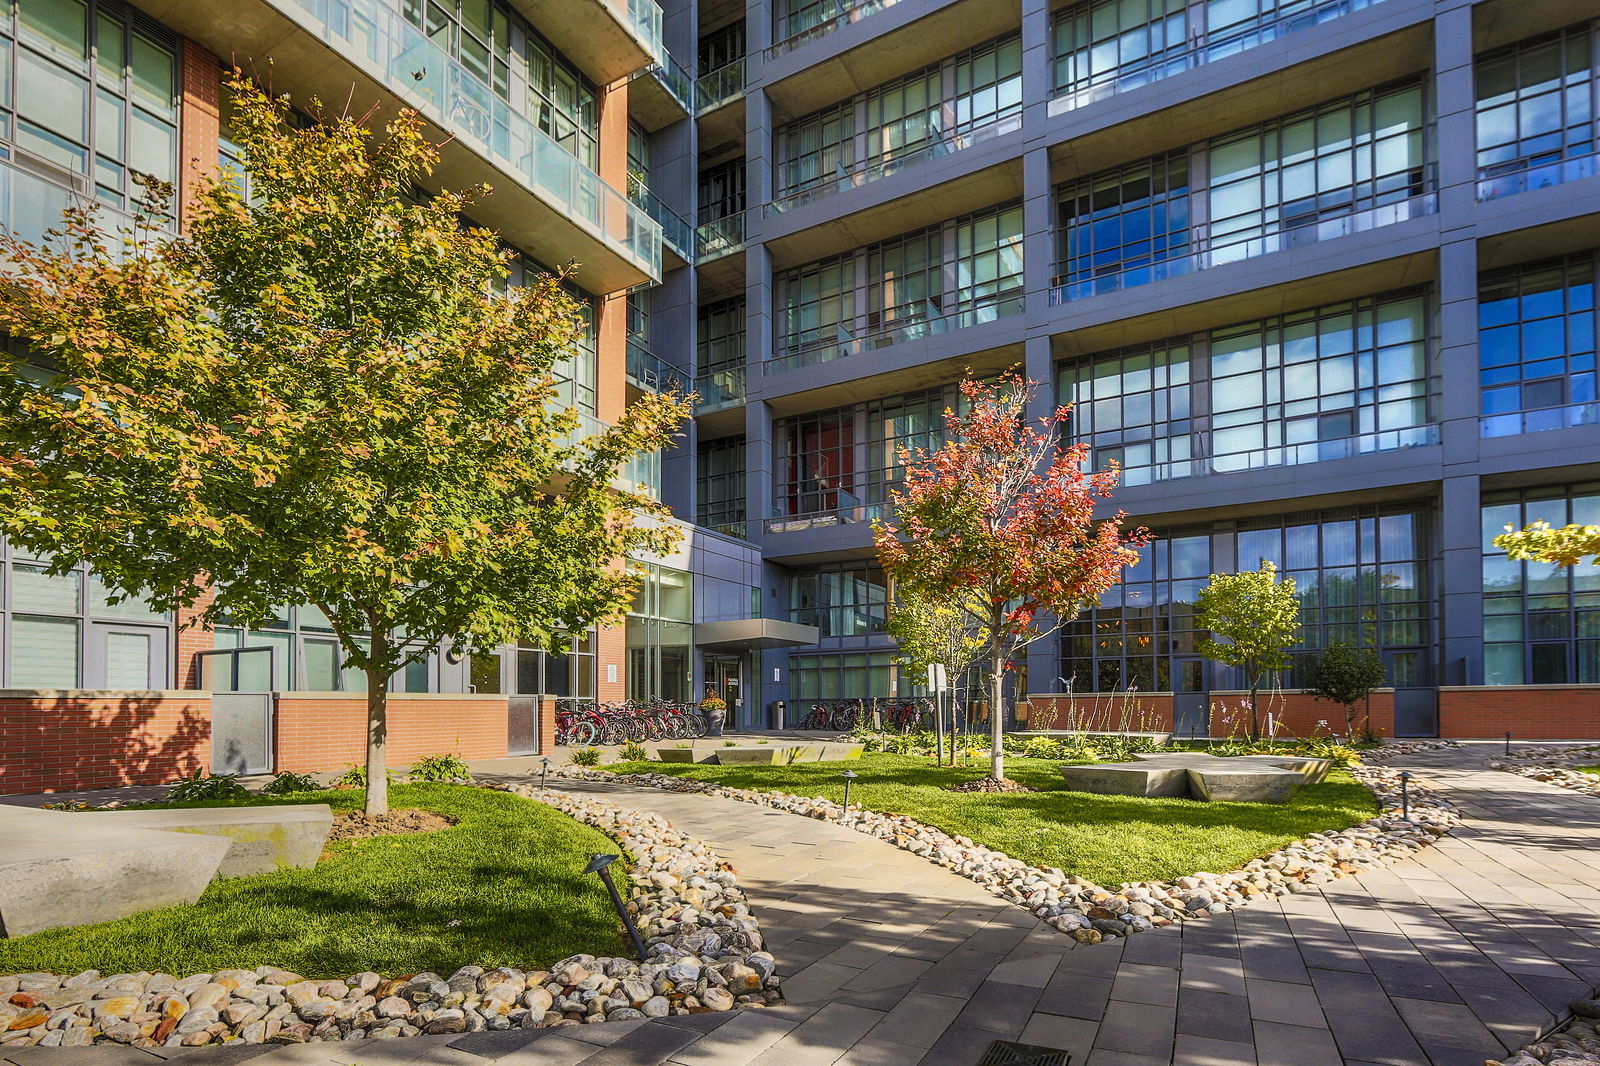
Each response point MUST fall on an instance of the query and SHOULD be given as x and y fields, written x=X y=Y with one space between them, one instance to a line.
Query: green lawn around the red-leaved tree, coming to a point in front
x=1108 y=840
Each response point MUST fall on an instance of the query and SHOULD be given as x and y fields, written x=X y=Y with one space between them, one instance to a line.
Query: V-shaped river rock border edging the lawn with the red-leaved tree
x=1090 y=913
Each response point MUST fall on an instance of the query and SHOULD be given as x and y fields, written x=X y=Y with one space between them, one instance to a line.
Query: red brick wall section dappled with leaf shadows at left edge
x=54 y=742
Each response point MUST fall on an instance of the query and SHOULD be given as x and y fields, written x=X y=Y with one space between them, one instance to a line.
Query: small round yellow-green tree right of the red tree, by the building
x=1258 y=620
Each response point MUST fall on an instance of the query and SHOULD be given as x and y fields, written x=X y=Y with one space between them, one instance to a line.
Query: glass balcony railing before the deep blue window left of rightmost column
x=1247 y=246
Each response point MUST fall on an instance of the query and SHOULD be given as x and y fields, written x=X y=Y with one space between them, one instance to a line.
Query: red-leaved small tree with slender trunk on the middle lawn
x=999 y=524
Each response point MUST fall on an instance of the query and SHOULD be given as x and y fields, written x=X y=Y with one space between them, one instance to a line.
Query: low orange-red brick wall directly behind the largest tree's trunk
x=329 y=731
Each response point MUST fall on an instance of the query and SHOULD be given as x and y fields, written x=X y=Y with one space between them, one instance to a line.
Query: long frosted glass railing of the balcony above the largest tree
x=375 y=38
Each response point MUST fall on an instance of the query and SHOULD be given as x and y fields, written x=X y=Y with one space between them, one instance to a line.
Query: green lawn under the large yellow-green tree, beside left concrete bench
x=502 y=888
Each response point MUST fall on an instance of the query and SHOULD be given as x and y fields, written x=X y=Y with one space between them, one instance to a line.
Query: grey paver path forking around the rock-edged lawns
x=1457 y=956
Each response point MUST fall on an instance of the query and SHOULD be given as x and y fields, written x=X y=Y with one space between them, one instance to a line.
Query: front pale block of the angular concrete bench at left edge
x=65 y=868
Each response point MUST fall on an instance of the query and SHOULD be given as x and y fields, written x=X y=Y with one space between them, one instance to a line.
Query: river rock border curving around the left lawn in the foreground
x=705 y=953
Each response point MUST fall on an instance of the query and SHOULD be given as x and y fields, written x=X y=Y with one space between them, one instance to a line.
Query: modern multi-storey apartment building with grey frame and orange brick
x=1318 y=273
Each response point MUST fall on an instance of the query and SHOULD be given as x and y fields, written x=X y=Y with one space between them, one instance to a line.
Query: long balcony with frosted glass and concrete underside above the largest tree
x=329 y=47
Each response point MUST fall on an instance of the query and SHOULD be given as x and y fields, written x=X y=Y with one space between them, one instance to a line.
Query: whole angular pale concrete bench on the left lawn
x=76 y=868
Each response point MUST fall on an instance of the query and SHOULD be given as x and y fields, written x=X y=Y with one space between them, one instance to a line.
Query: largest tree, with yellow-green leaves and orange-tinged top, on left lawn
x=322 y=395
